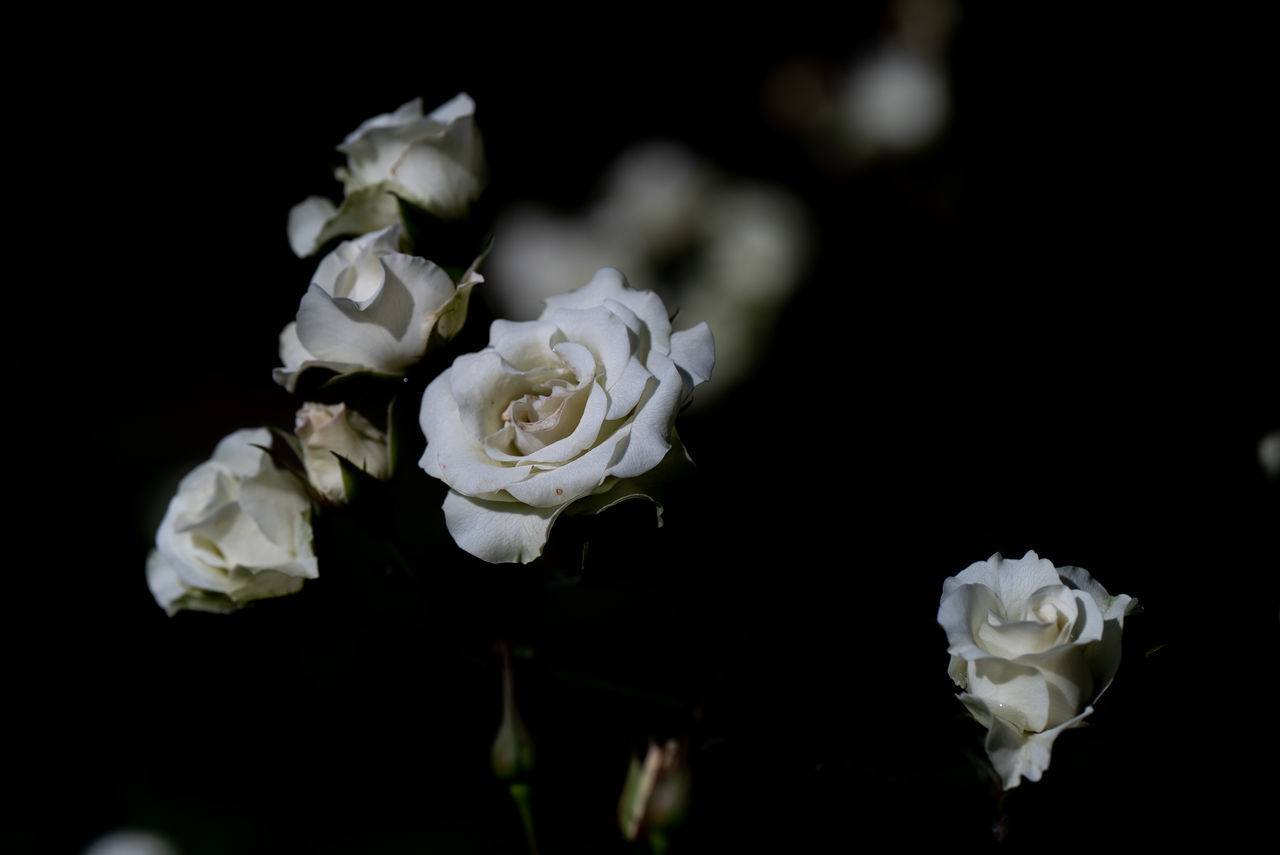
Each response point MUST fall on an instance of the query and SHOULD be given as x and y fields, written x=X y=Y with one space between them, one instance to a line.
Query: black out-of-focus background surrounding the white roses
x=1041 y=328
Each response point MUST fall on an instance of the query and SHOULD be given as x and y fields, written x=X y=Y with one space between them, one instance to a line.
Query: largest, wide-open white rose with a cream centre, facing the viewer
x=559 y=409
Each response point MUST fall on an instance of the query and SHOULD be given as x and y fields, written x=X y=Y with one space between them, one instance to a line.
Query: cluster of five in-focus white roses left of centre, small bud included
x=572 y=408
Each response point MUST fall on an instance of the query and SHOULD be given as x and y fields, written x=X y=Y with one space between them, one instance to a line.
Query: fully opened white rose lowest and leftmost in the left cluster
x=237 y=531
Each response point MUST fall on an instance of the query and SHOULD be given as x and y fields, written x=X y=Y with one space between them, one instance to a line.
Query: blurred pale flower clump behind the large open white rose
x=725 y=252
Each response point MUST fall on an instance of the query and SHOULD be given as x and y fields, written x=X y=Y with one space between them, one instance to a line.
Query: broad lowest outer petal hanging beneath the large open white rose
x=499 y=532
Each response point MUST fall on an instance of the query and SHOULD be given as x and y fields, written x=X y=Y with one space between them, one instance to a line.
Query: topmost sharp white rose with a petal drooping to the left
x=435 y=162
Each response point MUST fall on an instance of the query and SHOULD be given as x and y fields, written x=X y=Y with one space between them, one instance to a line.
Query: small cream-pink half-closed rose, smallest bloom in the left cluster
x=328 y=431
